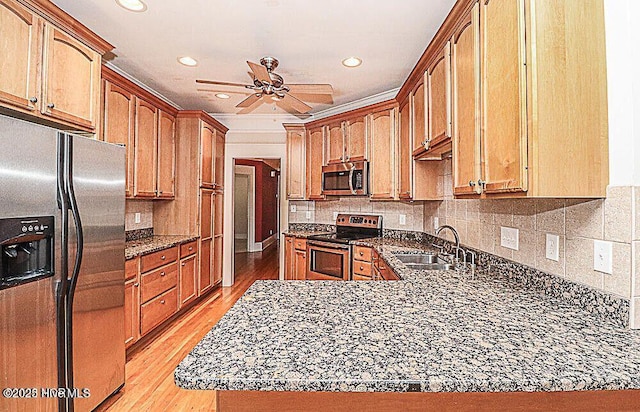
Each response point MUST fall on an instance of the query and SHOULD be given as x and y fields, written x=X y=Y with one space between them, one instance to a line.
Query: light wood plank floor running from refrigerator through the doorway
x=149 y=372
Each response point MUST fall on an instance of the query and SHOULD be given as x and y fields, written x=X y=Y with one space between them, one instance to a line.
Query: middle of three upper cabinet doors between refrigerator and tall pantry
x=146 y=132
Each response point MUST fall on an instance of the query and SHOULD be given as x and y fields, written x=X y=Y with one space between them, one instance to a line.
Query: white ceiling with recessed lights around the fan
x=310 y=38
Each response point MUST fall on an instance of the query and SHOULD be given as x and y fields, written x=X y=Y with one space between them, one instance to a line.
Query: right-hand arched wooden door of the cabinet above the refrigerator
x=71 y=75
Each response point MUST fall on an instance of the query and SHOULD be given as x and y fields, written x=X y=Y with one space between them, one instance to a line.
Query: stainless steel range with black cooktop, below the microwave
x=330 y=254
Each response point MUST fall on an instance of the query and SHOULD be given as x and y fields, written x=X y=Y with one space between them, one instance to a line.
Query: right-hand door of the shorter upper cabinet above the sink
x=439 y=99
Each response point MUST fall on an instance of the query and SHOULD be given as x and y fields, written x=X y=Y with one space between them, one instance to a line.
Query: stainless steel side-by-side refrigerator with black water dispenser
x=61 y=269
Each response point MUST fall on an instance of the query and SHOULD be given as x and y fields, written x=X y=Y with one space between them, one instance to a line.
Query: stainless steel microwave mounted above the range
x=346 y=179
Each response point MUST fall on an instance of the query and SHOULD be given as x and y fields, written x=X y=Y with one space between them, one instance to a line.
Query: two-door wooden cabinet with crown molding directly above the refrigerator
x=51 y=75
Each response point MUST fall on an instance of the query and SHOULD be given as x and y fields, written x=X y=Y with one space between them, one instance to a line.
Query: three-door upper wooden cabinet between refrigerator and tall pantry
x=134 y=118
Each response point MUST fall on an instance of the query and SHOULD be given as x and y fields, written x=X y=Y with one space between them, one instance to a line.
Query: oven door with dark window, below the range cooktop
x=328 y=261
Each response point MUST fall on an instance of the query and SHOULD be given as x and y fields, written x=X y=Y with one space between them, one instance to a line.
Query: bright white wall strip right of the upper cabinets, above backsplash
x=623 y=58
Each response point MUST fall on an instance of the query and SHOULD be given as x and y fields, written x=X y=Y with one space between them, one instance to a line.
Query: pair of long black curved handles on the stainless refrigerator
x=73 y=280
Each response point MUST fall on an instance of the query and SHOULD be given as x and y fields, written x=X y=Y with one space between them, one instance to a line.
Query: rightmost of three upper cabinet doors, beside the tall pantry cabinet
x=166 y=155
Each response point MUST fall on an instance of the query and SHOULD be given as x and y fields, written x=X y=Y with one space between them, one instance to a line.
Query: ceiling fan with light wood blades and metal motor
x=268 y=84
